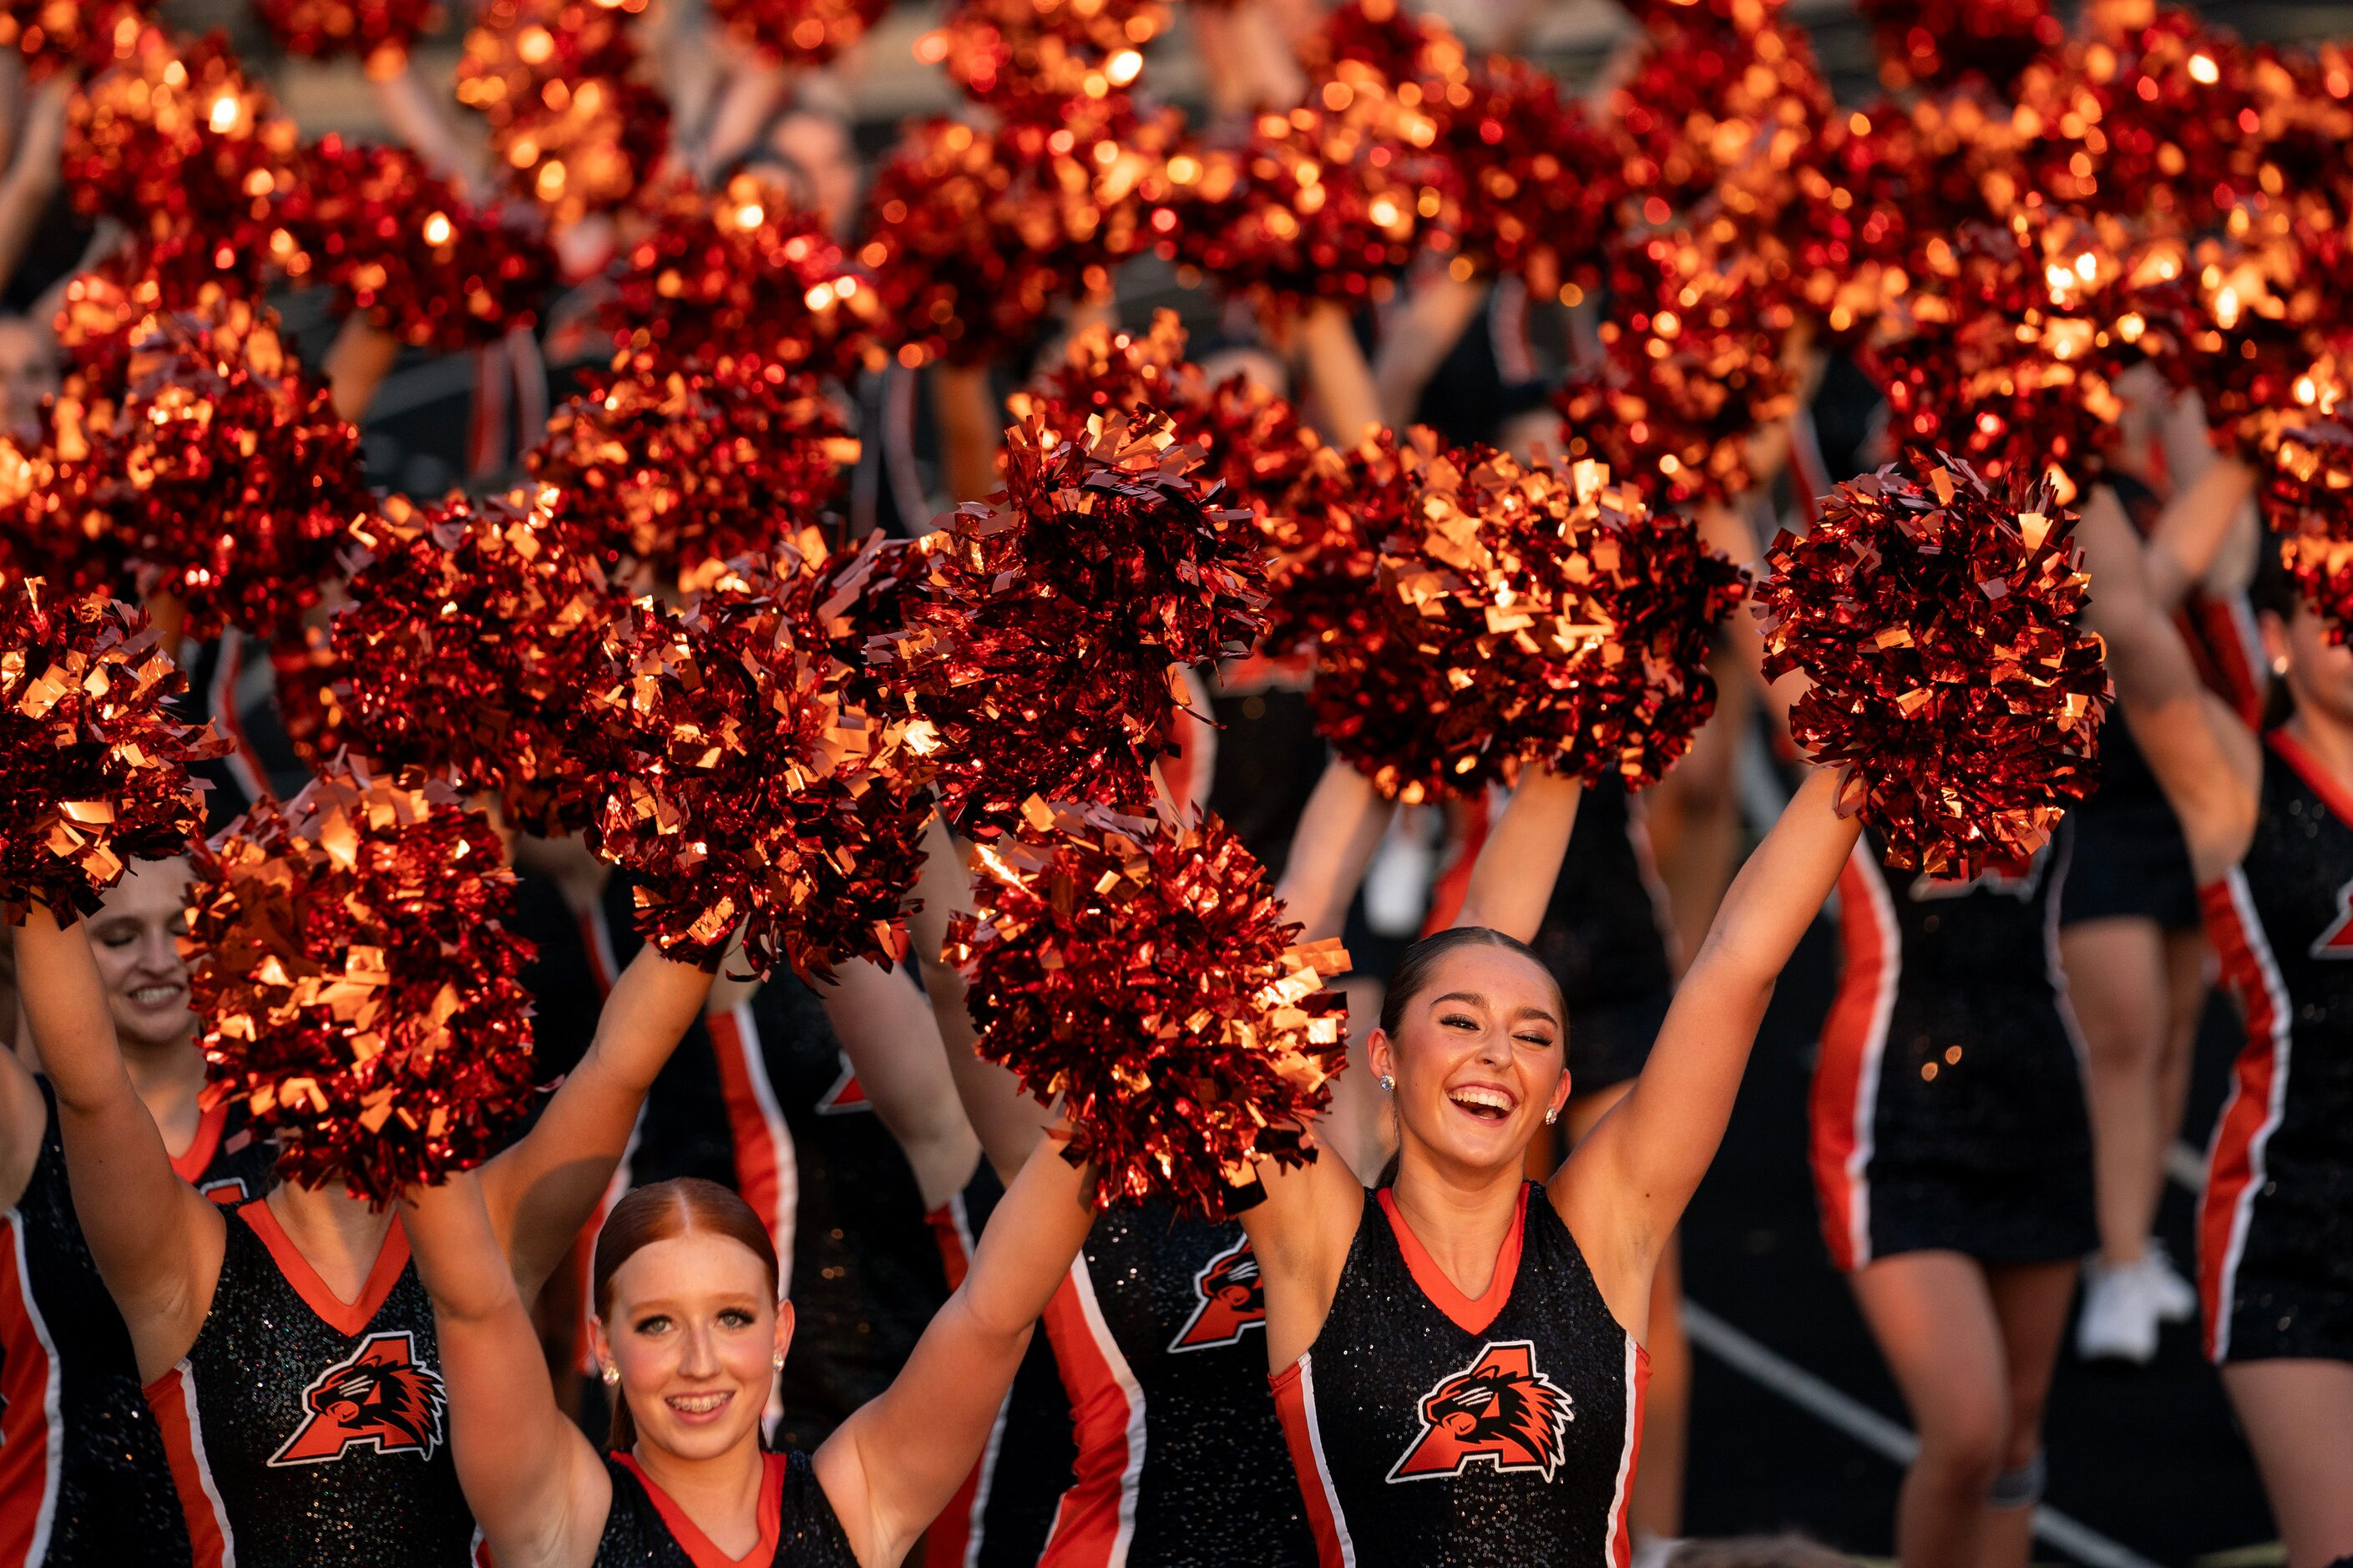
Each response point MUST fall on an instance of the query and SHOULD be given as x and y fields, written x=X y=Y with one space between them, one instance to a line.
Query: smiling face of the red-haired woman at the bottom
x=693 y=1329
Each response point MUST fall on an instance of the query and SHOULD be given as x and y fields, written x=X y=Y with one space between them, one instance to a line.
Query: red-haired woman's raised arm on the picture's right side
x=898 y=1461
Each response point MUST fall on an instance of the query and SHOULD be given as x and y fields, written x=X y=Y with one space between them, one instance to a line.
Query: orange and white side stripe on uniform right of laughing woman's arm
x=1848 y=1072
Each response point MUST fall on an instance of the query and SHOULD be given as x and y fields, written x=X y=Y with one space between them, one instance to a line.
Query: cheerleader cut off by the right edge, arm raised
x=2269 y=825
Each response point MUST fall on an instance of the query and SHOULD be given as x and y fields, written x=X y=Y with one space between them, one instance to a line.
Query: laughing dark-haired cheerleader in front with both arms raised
x=1460 y=1355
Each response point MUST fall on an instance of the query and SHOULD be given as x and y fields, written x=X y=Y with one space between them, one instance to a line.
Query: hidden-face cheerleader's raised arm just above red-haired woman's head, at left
x=547 y=1183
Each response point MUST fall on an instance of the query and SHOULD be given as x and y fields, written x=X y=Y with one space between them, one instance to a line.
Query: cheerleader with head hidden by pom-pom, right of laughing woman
x=1954 y=1169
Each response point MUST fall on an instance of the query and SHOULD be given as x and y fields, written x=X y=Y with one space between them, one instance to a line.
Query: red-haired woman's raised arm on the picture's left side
x=531 y=1477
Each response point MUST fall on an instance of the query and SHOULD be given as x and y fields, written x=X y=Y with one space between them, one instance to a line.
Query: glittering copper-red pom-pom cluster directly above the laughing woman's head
x=1526 y=616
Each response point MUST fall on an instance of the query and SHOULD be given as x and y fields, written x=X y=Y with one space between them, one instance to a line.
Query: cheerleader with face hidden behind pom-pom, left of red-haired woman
x=286 y=1343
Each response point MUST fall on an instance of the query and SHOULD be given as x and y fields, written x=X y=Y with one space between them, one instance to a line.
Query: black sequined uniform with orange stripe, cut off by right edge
x=2277 y=1221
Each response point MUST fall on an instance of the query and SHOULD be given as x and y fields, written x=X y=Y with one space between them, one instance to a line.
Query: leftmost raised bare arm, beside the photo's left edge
x=156 y=1240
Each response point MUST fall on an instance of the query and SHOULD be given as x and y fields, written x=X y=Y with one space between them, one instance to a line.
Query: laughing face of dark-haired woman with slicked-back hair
x=1477 y=1044
